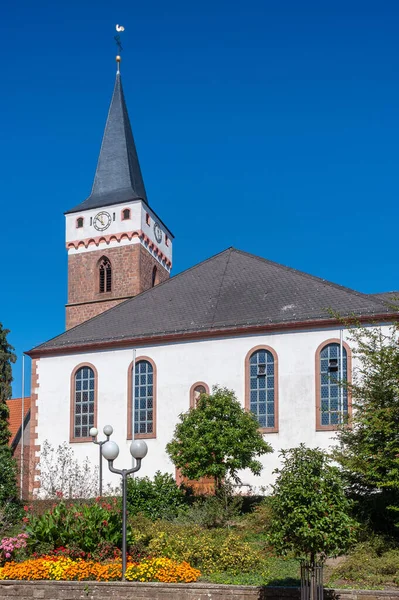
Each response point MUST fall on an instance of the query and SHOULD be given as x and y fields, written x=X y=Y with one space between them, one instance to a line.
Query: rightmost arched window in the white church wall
x=333 y=369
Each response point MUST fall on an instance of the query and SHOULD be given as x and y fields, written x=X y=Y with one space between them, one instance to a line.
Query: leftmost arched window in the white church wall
x=83 y=402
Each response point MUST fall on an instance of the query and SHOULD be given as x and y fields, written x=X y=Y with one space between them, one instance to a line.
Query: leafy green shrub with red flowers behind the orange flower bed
x=85 y=527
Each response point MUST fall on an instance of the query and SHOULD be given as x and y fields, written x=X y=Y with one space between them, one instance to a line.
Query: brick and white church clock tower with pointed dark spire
x=117 y=246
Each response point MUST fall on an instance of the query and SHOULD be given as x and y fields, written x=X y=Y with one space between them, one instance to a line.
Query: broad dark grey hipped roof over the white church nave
x=231 y=292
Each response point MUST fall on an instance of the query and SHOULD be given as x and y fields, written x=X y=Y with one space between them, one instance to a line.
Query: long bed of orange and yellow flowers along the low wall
x=66 y=569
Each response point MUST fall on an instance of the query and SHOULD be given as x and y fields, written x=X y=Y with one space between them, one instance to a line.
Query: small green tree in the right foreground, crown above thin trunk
x=310 y=514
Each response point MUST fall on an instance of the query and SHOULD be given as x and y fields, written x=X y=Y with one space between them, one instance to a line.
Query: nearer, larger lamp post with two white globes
x=110 y=451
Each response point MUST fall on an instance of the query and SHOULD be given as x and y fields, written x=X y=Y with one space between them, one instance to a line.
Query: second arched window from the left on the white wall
x=142 y=388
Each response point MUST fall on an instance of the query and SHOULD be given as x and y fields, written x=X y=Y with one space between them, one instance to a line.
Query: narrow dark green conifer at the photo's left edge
x=8 y=467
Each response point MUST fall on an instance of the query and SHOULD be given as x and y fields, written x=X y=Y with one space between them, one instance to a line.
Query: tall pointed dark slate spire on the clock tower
x=118 y=176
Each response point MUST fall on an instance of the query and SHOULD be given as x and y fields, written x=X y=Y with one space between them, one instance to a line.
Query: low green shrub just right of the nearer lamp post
x=158 y=499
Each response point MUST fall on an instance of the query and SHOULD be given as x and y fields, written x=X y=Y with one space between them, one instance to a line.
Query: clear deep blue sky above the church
x=269 y=126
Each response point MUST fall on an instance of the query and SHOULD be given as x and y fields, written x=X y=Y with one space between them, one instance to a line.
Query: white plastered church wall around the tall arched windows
x=179 y=365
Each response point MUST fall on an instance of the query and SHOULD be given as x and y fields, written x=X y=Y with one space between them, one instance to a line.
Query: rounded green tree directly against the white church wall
x=217 y=439
